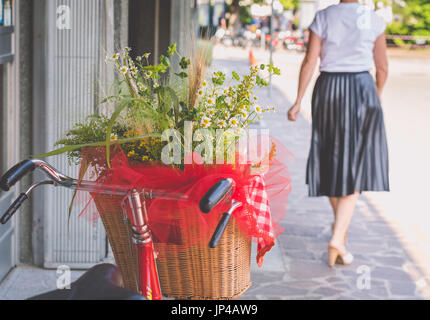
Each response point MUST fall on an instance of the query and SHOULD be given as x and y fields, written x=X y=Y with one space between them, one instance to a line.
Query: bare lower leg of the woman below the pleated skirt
x=344 y=210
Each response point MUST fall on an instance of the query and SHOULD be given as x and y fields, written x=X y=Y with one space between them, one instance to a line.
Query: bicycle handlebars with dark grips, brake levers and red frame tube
x=149 y=284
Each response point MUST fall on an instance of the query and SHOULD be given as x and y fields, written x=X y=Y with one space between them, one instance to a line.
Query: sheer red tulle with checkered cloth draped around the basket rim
x=264 y=196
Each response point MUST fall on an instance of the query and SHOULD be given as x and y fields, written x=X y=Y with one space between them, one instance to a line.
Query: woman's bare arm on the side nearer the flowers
x=306 y=72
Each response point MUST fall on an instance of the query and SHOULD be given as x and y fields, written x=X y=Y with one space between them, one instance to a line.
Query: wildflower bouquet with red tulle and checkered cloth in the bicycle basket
x=174 y=127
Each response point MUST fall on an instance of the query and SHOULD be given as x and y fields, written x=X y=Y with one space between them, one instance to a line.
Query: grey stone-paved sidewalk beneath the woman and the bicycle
x=296 y=268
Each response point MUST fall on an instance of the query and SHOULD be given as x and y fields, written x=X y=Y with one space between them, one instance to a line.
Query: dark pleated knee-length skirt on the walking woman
x=349 y=146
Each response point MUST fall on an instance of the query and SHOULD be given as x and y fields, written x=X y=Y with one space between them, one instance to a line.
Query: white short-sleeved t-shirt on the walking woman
x=348 y=32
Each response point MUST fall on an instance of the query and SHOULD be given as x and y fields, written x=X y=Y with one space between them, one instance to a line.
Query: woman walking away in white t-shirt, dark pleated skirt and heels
x=348 y=152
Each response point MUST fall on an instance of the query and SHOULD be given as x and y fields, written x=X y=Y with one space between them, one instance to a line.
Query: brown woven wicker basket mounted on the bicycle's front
x=185 y=272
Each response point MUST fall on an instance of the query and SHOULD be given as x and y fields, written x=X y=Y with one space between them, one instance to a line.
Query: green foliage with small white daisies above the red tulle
x=145 y=107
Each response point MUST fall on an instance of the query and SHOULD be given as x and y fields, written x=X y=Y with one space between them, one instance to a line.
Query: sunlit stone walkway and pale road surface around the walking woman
x=388 y=232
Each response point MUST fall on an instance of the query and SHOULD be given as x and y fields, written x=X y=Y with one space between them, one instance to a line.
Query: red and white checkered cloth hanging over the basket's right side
x=257 y=198
